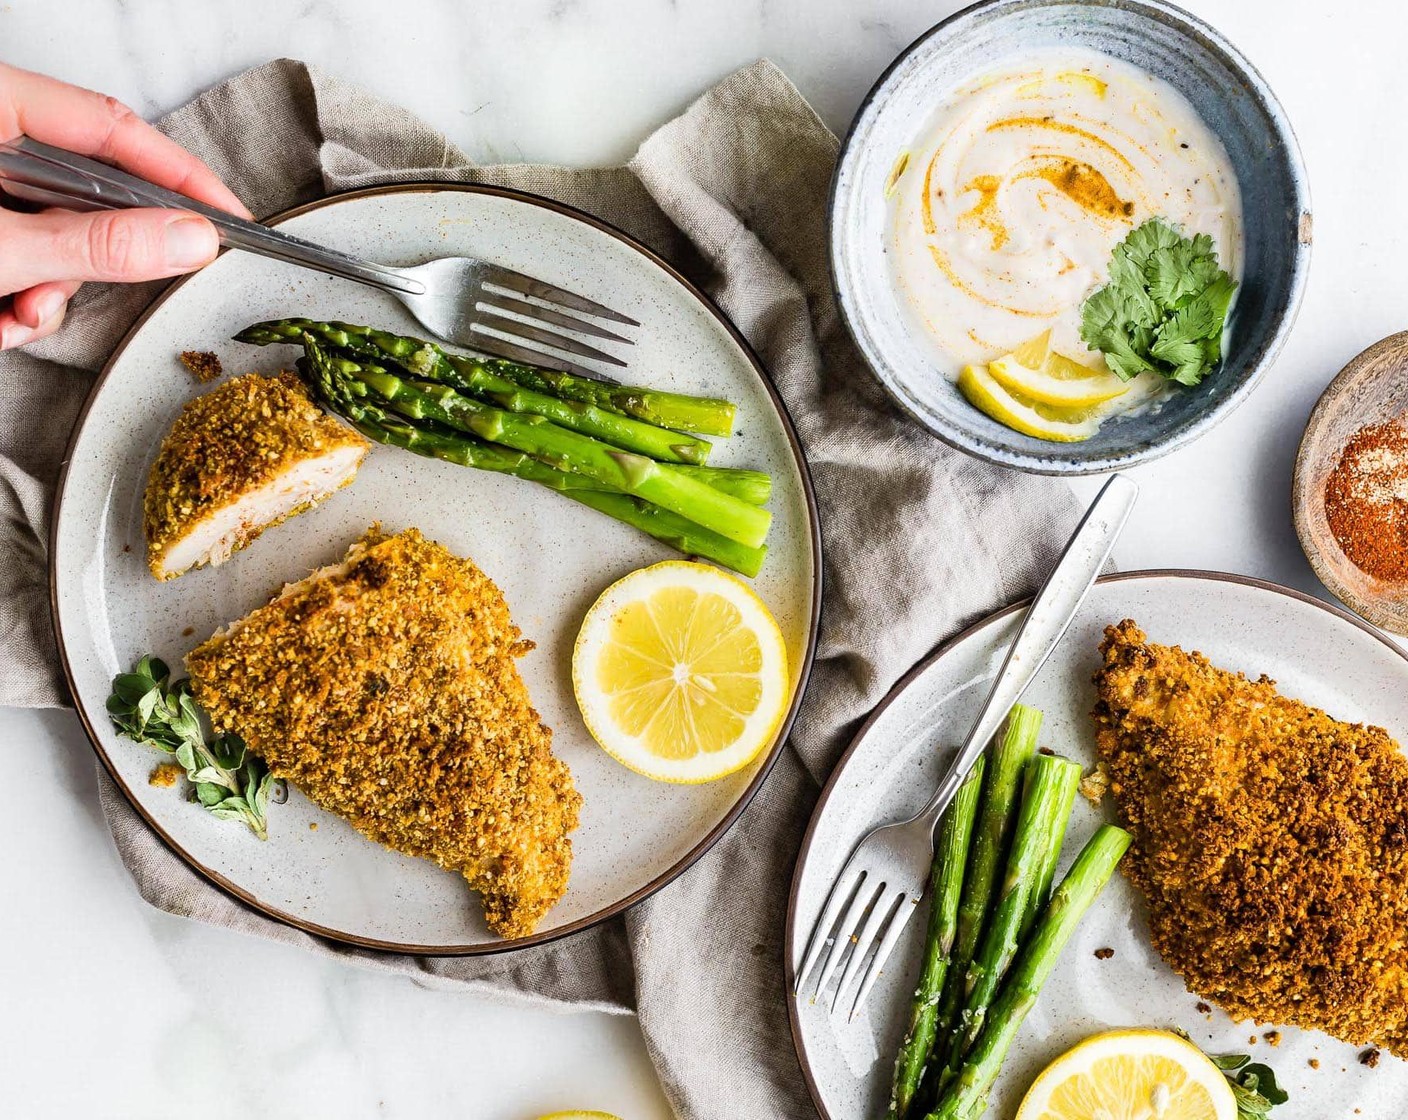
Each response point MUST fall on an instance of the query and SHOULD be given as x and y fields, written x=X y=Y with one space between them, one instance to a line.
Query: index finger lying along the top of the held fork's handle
x=94 y=125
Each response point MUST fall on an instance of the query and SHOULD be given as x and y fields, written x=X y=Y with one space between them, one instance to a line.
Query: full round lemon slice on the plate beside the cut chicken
x=681 y=673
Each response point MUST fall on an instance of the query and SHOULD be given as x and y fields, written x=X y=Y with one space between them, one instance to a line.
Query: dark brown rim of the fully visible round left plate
x=488 y=949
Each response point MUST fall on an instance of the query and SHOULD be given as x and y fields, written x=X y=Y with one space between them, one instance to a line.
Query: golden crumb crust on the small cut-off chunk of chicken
x=229 y=443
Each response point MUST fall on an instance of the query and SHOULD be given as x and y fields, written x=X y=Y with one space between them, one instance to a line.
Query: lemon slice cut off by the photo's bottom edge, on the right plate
x=1131 y=1076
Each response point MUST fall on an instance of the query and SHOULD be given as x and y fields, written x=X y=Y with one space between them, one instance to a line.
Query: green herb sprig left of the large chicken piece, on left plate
x=230 y=781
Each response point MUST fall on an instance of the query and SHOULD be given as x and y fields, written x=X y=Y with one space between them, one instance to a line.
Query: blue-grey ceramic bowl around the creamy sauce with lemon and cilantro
x=1234 y=102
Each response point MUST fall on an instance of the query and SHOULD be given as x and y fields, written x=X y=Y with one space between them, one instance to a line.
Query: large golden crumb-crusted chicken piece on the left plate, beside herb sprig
x=386 y=691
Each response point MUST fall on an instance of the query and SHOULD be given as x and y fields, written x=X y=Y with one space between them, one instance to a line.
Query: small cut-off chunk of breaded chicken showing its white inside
x=240 y=460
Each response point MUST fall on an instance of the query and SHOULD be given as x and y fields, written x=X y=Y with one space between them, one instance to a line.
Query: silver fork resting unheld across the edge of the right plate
x=882 y=884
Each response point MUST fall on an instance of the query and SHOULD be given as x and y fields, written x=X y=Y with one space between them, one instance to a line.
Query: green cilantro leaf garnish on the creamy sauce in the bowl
x=1164 y=308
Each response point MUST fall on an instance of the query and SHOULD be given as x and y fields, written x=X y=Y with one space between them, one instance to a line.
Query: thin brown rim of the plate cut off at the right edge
x=940 y=653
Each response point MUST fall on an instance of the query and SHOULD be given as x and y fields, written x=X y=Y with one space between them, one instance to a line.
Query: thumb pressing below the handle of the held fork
x=112 y=246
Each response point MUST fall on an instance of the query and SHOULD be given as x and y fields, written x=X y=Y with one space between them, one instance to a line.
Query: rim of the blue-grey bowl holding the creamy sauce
x=1202 y=423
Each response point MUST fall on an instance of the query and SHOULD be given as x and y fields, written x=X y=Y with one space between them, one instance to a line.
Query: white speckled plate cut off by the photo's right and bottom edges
x=1316 y=653
